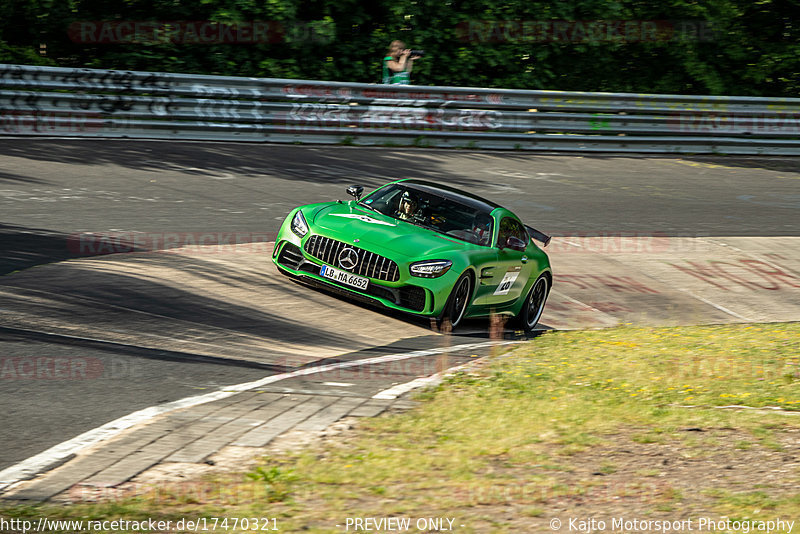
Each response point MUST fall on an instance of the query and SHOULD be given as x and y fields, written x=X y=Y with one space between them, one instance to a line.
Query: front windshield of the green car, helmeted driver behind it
x=426 y=209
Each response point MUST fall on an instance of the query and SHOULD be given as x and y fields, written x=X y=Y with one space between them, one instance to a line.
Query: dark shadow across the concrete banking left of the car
x=120 y=298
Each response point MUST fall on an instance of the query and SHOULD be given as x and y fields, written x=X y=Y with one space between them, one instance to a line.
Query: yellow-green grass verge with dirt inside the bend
x=655 y=423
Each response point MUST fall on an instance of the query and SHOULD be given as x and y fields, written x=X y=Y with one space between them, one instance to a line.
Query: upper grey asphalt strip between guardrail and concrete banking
x=66 y=186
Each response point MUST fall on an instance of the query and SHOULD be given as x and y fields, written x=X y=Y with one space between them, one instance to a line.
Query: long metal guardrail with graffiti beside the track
x=53 y=101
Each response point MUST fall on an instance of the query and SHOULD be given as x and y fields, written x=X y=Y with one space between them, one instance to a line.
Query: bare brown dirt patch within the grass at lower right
x=679 y=474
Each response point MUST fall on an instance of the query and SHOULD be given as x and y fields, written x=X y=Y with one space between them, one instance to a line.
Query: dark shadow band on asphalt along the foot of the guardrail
x=242 y=159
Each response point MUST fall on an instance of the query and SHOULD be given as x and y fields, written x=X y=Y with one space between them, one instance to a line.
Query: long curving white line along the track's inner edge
x=58 y=453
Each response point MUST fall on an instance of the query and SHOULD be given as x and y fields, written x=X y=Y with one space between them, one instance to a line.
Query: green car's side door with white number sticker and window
x=513 y=268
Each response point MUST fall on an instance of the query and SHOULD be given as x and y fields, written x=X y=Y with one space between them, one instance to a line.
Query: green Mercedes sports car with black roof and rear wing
x=421 y=248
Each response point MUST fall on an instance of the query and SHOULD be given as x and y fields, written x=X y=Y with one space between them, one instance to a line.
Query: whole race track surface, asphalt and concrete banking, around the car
x=201 y=320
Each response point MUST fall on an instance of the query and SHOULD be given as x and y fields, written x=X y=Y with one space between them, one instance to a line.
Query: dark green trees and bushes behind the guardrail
x=742 y=48
